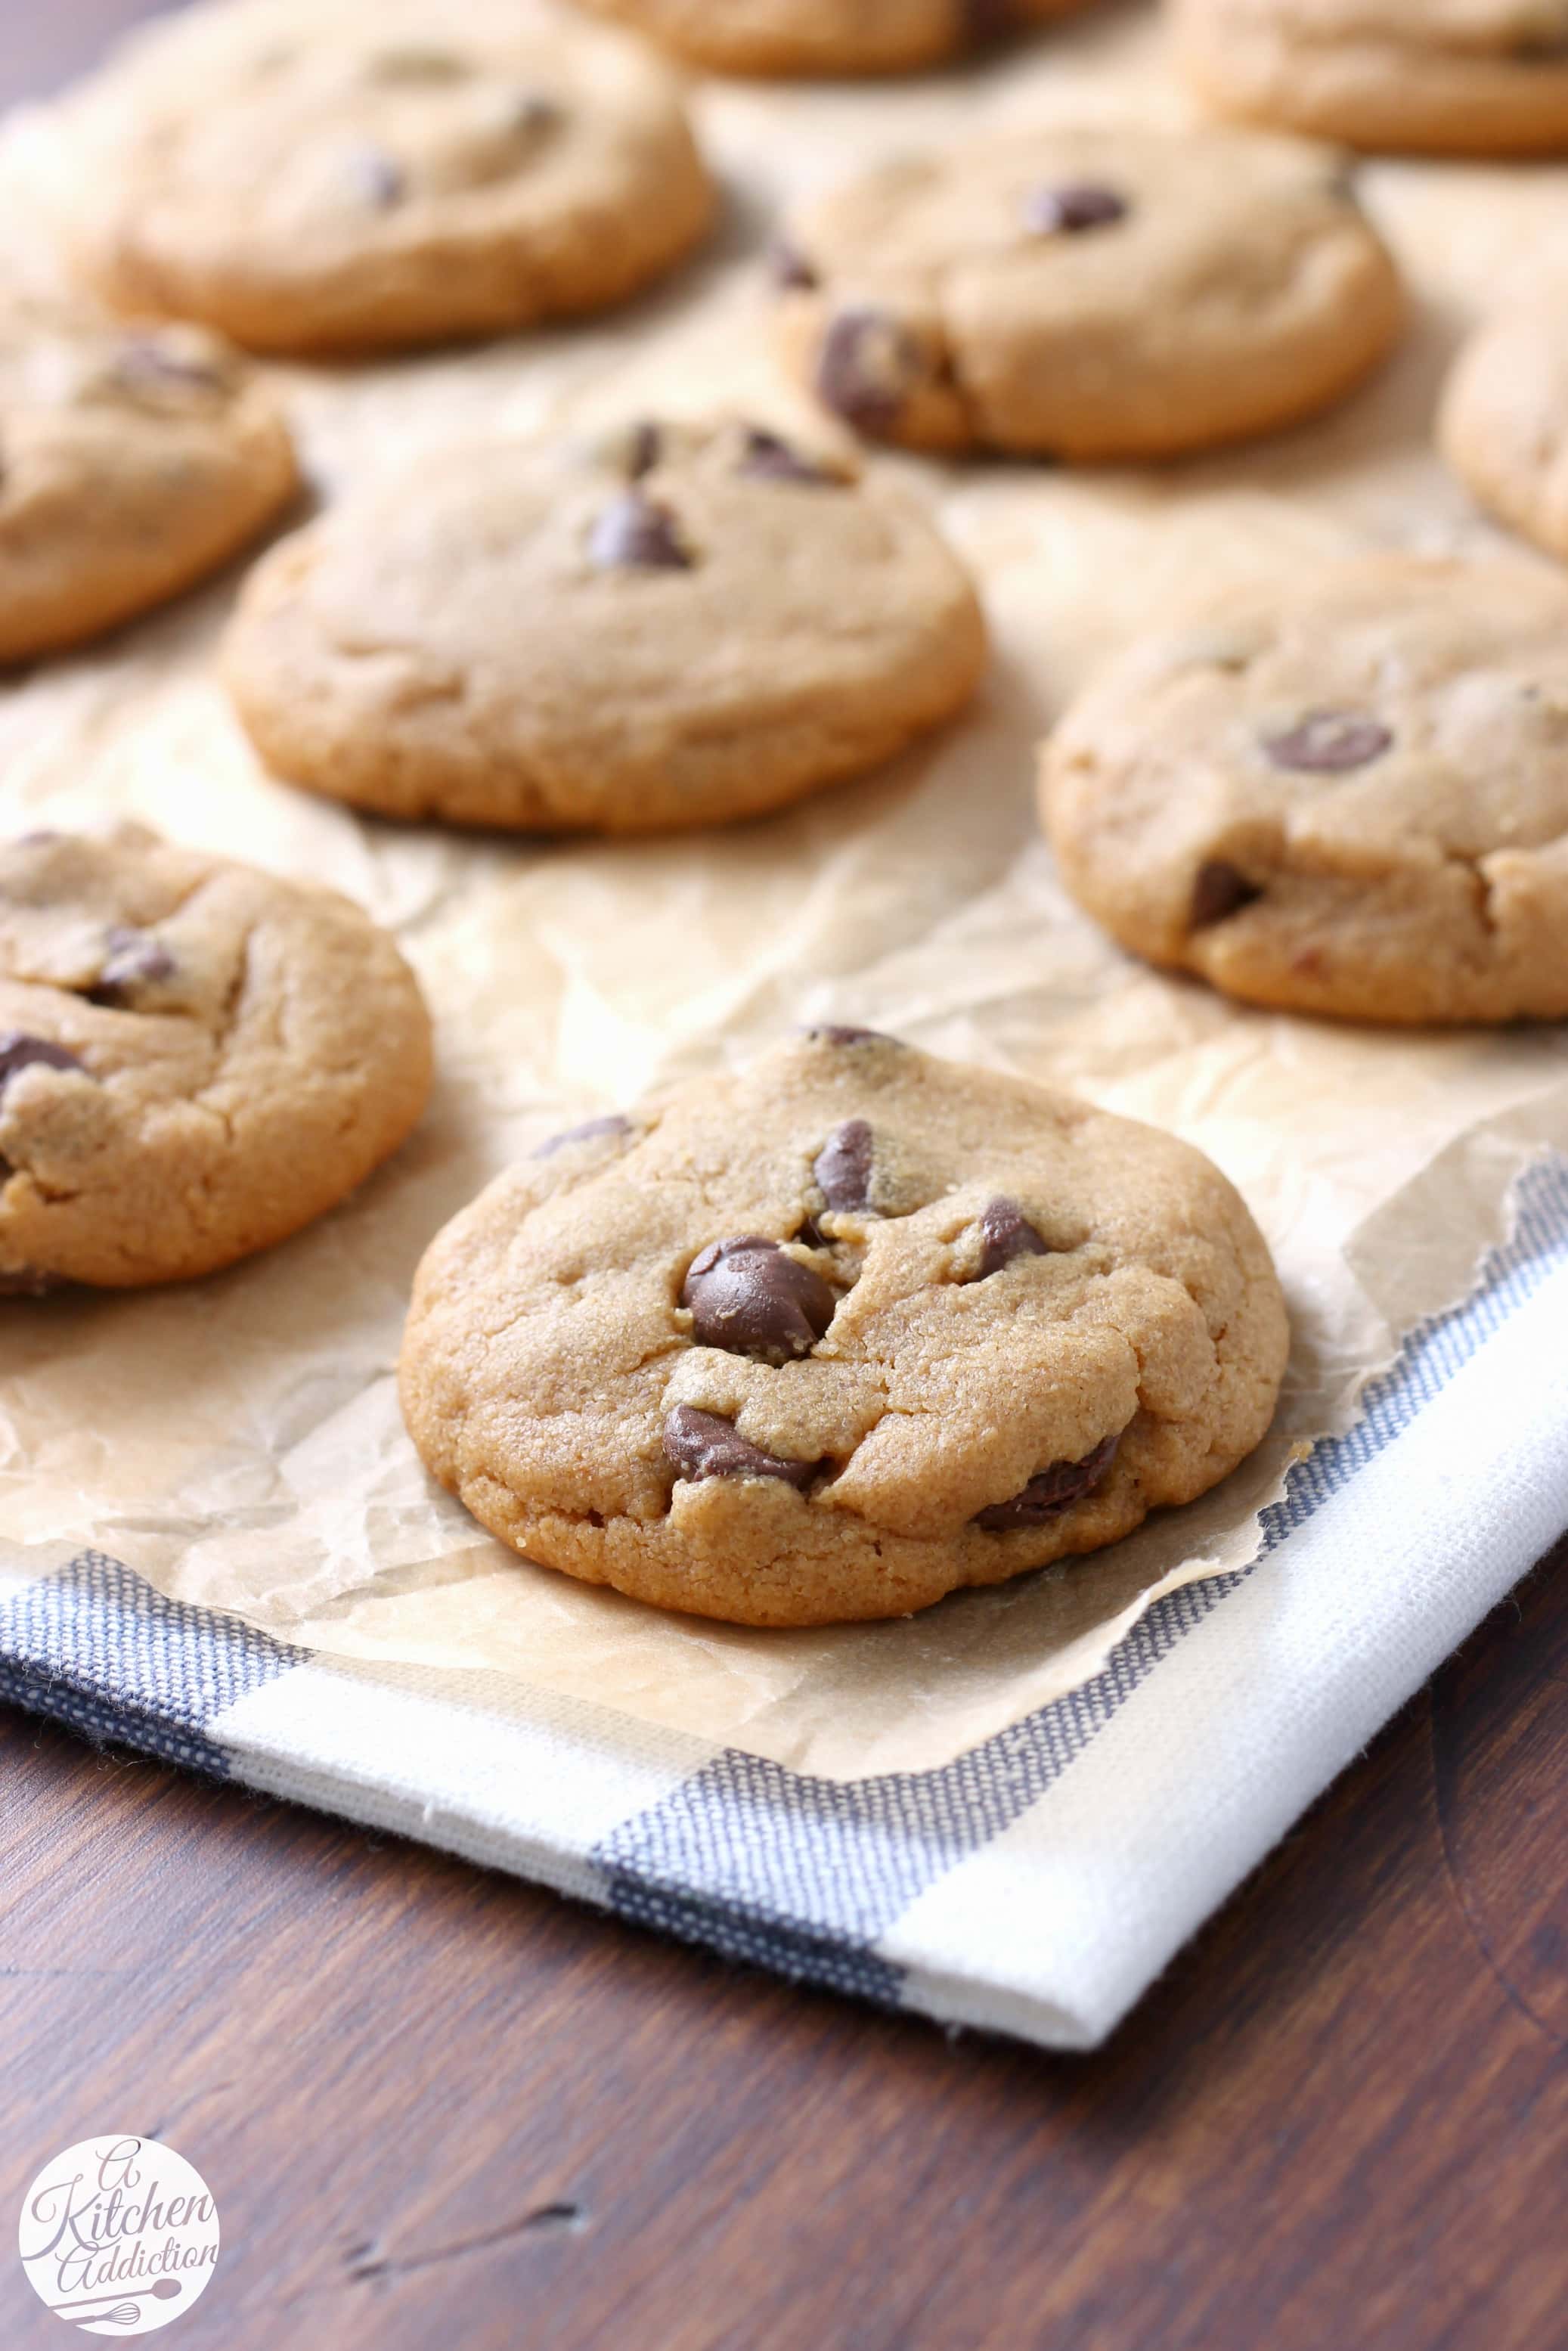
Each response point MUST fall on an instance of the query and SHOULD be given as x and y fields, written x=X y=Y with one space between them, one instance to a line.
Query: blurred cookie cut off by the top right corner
x=1430 y=76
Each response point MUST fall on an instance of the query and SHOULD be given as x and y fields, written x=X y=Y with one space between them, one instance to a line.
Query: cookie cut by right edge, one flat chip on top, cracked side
x=1339 y=793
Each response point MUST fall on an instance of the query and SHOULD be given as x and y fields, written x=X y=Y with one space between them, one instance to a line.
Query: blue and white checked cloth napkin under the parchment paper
x=1038 y=1884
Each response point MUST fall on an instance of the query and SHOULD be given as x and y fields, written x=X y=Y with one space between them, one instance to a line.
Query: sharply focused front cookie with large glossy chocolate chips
x=838 y=1337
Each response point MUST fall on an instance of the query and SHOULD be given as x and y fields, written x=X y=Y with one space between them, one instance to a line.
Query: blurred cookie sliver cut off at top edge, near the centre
x=829 y=36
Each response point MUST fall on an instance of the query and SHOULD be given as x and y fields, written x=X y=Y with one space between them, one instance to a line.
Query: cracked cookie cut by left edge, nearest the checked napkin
x=196 y=1059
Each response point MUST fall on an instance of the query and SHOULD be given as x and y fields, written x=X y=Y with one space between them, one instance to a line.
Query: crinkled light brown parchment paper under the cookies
x=239 y=1442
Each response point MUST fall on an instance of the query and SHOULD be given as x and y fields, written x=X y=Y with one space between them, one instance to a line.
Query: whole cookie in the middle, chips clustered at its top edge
x=683 y=627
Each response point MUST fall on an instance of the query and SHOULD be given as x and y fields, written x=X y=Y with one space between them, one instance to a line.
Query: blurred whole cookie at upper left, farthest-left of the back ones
x=337 y=180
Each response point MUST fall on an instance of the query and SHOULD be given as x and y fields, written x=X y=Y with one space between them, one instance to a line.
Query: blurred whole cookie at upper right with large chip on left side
x=1087 y=293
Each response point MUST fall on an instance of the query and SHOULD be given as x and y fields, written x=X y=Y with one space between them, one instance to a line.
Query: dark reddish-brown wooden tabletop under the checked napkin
x=441 y=2108
